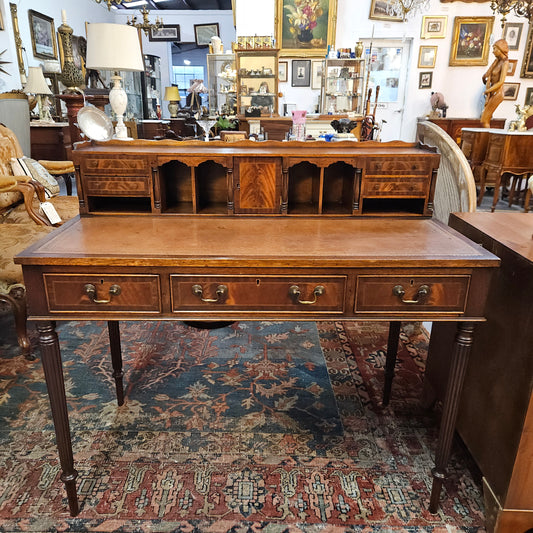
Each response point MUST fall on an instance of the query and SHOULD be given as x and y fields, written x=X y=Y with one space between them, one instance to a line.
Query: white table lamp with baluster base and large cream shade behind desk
x=115 y=47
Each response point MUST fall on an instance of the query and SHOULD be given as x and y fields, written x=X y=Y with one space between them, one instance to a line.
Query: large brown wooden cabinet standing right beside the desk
x=496 y=411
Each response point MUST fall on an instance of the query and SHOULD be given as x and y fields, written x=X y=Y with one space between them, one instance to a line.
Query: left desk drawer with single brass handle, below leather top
x=135 y=293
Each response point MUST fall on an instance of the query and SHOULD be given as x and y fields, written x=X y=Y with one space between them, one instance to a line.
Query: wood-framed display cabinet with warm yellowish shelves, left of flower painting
x=257 y=82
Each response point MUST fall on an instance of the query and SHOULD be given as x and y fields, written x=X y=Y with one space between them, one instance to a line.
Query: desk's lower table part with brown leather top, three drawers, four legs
x=250 y=268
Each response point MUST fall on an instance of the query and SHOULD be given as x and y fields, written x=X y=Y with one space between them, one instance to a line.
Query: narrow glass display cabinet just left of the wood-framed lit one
x=221 y=82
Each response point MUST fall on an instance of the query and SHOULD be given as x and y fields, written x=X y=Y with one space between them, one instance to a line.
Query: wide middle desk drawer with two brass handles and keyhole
x=261 y=293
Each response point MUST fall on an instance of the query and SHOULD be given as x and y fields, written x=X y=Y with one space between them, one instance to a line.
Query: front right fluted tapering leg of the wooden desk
x=461 y=352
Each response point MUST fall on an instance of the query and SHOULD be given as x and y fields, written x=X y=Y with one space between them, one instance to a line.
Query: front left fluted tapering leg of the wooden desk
x=53 y=373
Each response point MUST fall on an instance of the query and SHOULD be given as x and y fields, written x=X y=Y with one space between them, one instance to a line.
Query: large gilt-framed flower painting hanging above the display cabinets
x=305 y=28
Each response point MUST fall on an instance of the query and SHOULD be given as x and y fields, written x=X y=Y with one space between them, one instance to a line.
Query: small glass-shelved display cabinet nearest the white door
x=342 y=86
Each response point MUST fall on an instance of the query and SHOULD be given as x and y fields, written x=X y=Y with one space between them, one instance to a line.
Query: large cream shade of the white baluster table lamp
x=113 y=47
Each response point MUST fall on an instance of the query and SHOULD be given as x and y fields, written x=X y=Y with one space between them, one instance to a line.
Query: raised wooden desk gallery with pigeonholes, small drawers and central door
x=246 y=177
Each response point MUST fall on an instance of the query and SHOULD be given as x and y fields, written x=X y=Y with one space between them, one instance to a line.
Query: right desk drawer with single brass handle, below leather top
x=431 y=293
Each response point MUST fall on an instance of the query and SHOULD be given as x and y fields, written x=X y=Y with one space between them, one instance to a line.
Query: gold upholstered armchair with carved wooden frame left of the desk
x=22 y=224
